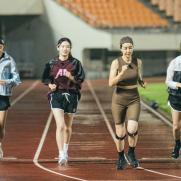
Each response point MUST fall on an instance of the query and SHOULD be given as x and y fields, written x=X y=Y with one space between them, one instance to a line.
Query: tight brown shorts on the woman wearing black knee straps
x=125 y=105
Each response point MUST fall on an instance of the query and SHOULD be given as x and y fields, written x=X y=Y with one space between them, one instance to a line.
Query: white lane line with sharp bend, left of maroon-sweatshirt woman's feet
x=37 y=154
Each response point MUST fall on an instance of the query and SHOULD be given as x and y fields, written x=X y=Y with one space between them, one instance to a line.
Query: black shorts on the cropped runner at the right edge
x=175 y=102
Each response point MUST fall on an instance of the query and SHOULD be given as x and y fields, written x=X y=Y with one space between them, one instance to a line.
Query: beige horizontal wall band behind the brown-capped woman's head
x=150 y=41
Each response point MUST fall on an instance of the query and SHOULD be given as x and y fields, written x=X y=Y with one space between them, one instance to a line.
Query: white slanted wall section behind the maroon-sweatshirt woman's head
x=83 y=36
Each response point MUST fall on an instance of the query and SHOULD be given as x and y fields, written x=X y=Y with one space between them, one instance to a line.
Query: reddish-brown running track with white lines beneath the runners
x=30 y=150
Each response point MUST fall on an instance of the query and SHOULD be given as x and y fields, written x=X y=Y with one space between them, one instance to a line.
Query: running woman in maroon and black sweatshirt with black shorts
x=64 y=76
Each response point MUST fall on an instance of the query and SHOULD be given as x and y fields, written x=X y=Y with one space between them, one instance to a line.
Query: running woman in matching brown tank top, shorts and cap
x=125 y=74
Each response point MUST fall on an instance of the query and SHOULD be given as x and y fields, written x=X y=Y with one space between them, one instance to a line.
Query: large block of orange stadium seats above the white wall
x=114 y=13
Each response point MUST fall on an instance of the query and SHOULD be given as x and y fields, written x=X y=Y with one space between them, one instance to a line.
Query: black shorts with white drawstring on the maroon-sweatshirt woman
x=64 y=100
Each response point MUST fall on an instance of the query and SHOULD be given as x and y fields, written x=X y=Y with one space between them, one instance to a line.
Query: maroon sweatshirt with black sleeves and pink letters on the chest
x=54 y=74
